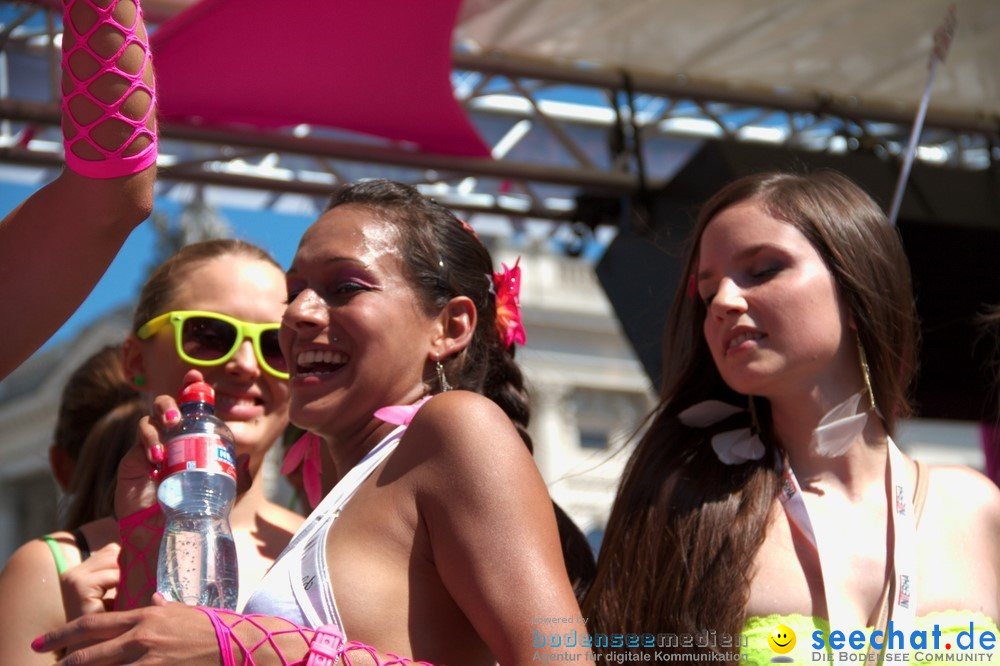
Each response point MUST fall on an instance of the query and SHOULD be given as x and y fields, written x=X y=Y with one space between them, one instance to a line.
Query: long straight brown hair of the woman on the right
x=679 y=548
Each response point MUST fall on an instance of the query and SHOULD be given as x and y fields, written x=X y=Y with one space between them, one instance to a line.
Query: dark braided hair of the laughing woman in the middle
x=443 y=258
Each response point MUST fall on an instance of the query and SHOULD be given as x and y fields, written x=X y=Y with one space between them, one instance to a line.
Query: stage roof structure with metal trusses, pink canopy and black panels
x=582 y=112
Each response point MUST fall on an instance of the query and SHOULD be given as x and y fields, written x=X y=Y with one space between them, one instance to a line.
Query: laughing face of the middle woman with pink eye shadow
x=354 y=332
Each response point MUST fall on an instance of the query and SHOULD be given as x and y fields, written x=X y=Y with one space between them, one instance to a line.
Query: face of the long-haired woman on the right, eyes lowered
x=775 y=324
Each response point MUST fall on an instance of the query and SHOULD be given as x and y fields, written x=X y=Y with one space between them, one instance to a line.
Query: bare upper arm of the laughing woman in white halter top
x=493 y=531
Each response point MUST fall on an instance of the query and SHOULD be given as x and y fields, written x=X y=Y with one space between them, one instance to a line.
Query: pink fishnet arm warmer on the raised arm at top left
x=108 y=92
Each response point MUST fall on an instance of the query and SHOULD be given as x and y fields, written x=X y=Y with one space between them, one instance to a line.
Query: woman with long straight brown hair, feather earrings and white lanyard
x=766 y=491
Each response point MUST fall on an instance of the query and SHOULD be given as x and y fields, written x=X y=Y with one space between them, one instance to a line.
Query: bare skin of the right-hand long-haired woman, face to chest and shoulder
x=777 y=328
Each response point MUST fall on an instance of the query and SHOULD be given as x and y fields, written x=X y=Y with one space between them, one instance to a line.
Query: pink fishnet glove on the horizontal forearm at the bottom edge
x=291 y=644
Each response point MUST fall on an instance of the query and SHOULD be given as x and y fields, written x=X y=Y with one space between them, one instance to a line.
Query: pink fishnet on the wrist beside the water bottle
x=140 y=535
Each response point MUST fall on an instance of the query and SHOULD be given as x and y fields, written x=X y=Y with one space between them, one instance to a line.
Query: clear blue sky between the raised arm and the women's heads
x=278 y=233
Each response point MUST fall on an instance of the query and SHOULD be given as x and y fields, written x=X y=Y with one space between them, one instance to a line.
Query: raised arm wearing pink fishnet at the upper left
x=56 y=245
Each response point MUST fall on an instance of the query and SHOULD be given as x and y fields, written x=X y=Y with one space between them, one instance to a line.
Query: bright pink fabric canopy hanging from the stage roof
x=379 y=67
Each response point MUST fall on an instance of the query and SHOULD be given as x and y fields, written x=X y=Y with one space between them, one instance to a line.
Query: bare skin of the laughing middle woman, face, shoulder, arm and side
x=358 y=338
